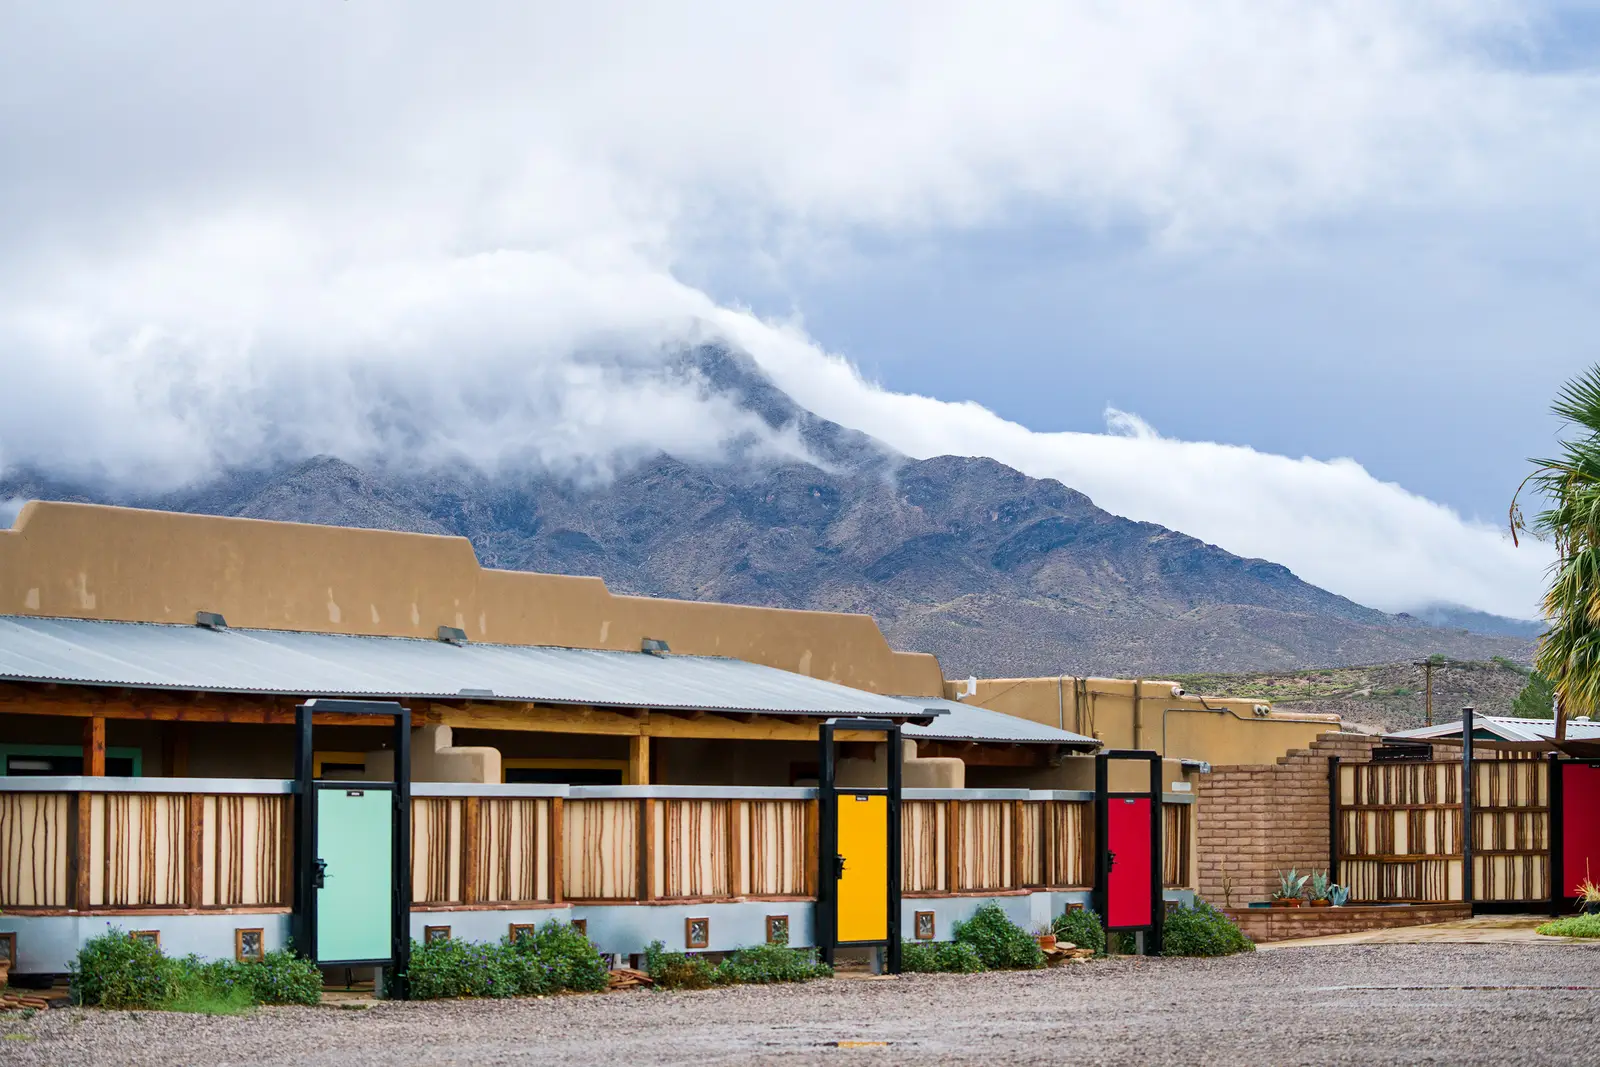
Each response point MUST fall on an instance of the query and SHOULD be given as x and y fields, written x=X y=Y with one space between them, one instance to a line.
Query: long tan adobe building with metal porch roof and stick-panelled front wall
x=641 y=765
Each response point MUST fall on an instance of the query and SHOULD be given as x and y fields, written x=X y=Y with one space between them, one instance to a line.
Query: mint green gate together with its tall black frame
x=353 y=853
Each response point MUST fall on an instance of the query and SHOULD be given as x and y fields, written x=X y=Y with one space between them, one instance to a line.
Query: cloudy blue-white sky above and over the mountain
x=1298 y=279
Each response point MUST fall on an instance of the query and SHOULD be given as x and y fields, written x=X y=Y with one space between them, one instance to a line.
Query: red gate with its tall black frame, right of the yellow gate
x=1129 y=850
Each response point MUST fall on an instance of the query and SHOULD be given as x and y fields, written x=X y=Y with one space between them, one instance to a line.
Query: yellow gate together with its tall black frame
x=860 y=853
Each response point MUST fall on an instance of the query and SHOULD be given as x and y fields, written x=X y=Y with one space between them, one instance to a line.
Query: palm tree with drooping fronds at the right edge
x=1570 y=486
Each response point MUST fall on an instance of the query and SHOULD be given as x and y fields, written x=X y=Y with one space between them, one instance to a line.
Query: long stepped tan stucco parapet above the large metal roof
x=90 y=562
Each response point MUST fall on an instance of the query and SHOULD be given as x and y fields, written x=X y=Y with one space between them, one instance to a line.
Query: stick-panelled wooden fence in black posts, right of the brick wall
x=1401 y=831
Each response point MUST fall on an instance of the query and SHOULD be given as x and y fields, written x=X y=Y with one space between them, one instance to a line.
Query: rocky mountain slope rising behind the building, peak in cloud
x=994 y=572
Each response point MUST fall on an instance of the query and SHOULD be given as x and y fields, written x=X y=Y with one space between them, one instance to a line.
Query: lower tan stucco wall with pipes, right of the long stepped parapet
x=1185 y=727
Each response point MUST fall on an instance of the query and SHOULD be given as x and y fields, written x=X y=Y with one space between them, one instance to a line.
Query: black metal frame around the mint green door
x=303 y=919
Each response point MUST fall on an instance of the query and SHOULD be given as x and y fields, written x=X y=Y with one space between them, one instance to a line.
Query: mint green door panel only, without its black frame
x=356 y=850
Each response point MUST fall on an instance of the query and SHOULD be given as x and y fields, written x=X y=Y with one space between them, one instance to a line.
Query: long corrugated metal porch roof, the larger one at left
x=162 y=657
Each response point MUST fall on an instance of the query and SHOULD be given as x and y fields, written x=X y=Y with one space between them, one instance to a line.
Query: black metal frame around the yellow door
x=828 y=860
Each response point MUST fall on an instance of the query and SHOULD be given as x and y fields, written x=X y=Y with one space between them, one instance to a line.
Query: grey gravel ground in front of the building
x=1340 y=1005
